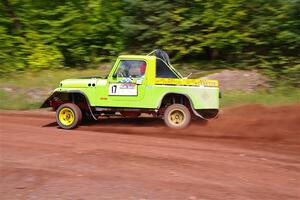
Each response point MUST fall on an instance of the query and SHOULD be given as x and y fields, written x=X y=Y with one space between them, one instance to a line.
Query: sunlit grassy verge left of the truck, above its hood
x=17 y=90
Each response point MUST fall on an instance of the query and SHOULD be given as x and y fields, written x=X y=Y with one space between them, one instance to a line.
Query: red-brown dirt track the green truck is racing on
x=249 y=152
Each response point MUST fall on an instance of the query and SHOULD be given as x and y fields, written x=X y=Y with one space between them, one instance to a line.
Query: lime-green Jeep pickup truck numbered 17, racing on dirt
x=136 y=84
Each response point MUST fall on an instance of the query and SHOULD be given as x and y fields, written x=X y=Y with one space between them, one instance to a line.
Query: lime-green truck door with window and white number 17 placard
x=125 y=85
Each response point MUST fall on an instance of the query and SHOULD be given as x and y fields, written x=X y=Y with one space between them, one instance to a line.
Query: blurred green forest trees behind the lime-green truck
x=44 y=34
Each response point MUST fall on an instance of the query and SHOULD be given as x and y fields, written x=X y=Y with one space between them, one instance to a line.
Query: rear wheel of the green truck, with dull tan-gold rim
x=177 y=116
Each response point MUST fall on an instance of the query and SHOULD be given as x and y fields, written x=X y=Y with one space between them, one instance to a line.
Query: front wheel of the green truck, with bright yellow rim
x=68 y=116
